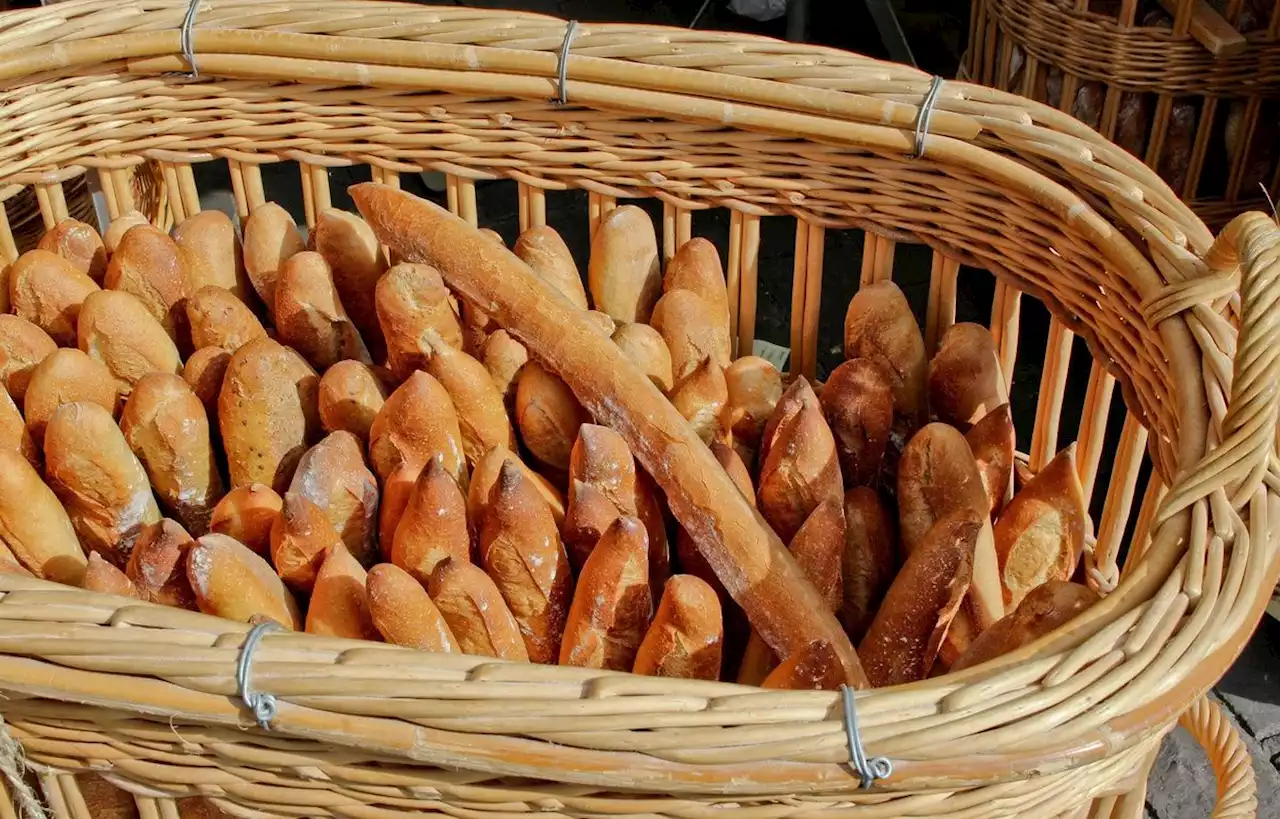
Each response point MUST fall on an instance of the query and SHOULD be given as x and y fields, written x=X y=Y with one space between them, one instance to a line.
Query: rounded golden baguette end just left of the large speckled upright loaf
x=168 y=431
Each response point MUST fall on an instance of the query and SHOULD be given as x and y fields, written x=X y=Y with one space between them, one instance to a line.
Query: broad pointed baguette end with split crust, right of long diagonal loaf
x=801 y=469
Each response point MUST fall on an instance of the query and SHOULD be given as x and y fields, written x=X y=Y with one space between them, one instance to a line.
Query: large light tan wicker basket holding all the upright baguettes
x=771 y=131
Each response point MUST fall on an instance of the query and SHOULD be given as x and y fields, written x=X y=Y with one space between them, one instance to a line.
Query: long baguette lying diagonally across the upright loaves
x=752 y=562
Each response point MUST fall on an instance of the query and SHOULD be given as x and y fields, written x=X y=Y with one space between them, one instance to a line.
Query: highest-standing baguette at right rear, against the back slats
x=880 y=326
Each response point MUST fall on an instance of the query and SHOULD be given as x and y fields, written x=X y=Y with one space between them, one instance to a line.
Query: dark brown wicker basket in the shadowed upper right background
x=1209 y=123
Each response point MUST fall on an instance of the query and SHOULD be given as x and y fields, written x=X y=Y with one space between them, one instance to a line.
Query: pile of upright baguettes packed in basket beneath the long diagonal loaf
x=243 y=428
